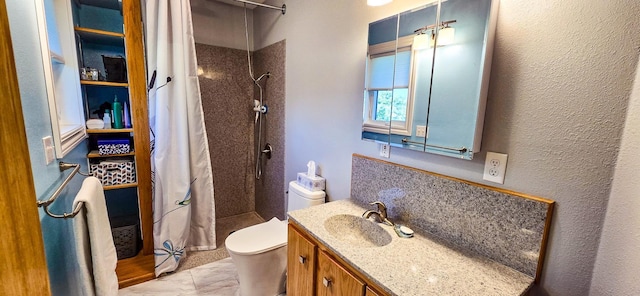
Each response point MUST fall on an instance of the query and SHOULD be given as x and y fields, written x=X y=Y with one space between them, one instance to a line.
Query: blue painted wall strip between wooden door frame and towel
x=57 y=233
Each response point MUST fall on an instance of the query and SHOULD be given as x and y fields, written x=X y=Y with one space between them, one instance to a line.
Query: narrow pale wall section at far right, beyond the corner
x=618 y=263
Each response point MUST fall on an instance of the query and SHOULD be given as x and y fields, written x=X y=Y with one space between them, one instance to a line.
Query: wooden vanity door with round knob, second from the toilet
x=333 y=279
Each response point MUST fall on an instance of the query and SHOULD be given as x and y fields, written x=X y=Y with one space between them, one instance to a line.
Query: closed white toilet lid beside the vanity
x=258 y=238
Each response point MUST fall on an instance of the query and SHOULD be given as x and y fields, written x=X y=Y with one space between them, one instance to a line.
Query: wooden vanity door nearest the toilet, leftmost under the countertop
x=301 y=256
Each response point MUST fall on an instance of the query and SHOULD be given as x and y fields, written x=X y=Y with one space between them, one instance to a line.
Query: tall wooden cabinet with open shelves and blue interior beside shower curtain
x=113 y=28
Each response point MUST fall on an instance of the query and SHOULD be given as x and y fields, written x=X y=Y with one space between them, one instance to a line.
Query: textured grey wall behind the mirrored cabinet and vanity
x=561 y=78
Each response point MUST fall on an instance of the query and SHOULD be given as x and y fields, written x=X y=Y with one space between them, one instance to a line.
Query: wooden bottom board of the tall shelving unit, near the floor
x=135 y=270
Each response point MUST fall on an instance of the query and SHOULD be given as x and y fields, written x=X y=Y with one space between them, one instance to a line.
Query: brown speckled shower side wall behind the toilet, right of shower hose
x=271 y=187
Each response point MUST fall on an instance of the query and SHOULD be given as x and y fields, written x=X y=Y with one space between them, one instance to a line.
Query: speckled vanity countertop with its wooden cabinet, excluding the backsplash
x=323 y=262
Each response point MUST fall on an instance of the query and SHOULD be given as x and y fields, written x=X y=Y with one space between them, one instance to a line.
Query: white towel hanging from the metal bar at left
x=94 y=244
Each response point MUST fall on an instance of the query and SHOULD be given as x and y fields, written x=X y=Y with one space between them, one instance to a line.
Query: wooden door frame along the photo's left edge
x=24 y=270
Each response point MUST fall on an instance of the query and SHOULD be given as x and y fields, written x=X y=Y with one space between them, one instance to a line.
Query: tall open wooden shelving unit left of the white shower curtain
x=140 y=268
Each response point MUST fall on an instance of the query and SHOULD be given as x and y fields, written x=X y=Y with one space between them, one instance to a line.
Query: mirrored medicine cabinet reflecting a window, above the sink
x=426 y=84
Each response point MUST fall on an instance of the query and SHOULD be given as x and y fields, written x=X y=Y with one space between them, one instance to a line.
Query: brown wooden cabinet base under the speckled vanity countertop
x=313 y=269
